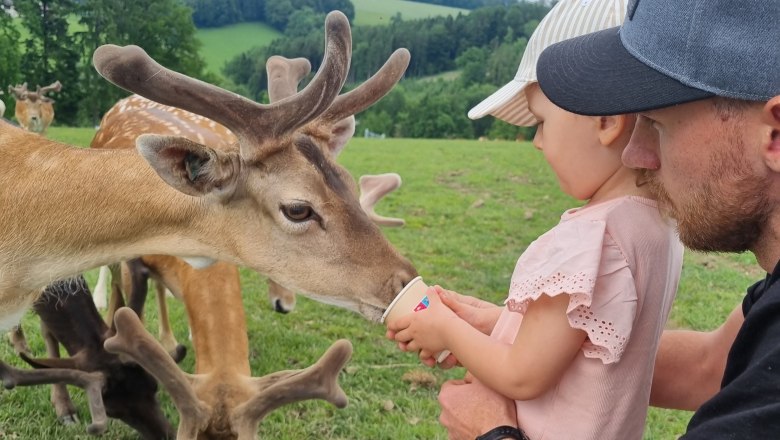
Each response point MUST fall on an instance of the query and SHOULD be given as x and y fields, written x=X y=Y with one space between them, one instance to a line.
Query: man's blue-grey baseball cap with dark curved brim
x=668 y=52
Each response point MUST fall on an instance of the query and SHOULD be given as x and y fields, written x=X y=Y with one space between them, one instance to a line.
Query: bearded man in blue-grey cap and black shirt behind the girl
x=704 y=76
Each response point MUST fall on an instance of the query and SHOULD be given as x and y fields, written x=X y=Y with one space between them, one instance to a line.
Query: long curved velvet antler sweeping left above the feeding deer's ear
x=132 y=69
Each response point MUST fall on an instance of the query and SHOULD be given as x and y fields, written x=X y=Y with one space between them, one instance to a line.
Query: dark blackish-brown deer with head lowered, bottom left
x=115 y=388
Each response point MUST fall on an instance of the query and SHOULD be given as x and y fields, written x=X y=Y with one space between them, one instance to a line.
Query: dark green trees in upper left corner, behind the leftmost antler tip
x=50 y=50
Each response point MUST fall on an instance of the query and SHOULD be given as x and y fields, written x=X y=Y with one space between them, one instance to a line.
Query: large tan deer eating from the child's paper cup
x=275 y=201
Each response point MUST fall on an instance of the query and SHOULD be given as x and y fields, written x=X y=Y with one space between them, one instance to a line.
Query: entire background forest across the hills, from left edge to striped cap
x=456 y=60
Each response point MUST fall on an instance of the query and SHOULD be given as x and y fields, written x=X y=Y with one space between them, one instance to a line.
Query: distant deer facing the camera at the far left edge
x=34 y=111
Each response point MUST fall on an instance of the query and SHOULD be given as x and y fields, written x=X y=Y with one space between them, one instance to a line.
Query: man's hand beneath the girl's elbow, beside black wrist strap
x=470 y=409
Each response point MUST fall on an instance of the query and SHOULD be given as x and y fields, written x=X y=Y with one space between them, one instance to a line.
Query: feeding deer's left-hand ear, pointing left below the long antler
x=188 y=166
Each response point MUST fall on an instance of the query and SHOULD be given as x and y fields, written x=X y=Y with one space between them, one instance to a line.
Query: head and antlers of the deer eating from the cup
x=309 y=232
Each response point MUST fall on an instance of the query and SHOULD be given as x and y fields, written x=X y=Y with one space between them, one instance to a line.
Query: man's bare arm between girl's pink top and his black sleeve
x=689 y=365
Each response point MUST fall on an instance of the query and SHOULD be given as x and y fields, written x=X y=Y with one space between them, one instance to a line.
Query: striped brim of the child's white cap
x=508 y=104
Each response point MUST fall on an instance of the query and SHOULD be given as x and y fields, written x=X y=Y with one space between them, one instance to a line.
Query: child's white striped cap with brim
x=567 y=19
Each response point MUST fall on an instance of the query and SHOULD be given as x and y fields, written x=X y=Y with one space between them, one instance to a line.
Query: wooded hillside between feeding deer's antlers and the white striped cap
x=484 y=46
